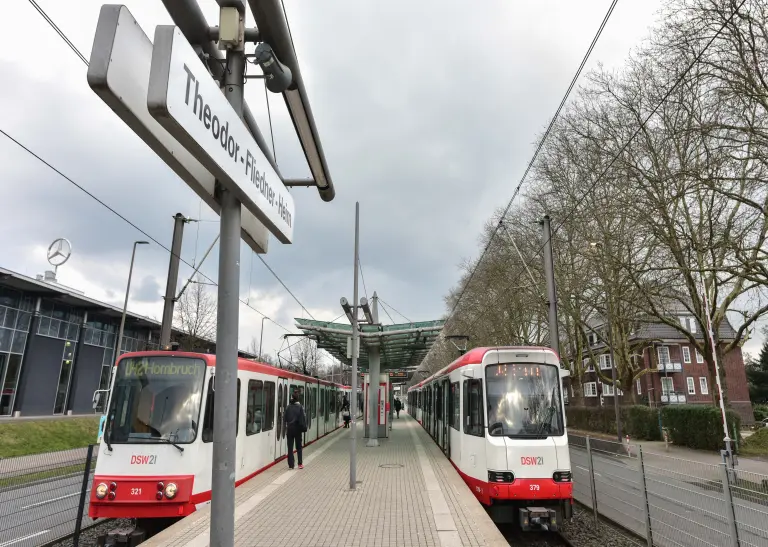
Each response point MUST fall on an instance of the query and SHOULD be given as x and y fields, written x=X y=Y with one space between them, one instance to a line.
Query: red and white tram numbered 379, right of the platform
x=498 y=414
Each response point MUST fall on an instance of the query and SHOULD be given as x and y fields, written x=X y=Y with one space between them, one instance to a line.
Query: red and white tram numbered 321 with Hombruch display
x=155 y=454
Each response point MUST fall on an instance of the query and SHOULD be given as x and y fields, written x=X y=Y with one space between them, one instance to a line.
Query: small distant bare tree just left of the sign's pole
x=195 y=315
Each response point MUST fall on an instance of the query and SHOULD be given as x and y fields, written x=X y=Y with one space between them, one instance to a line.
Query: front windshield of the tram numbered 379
x=524 y=400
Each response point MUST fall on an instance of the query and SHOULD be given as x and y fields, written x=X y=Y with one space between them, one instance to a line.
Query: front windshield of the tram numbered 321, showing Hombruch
x=156 y=399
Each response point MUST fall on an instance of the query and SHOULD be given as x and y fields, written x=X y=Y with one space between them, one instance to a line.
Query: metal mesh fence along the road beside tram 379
x=667 y=501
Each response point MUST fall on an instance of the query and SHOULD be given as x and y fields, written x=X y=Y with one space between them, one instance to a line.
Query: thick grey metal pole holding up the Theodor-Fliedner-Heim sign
x=225 y=399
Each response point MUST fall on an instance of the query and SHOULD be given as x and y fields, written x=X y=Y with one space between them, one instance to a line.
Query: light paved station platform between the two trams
x=409 y=495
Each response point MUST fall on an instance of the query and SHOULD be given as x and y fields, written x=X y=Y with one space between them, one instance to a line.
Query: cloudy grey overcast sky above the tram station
x=427 y=112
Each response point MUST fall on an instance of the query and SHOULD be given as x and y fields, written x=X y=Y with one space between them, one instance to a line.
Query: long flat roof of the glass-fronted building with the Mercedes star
x=71 y=297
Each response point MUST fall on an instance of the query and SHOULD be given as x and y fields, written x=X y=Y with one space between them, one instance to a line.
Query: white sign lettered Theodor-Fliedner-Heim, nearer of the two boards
x=184 y=98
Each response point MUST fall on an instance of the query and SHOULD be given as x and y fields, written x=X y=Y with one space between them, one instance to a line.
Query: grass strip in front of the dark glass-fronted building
x=36 y=437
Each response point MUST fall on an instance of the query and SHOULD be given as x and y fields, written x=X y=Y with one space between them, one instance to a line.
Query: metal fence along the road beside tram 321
x=45 y=497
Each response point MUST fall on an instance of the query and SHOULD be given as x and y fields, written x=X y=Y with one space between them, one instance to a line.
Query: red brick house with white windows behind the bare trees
x=678 y=373
